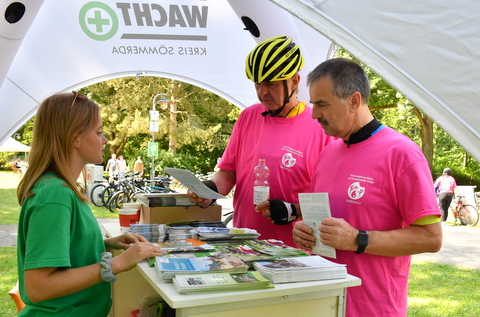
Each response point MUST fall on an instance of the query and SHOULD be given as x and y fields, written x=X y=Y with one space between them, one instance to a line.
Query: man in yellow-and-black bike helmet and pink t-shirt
x=280 y=130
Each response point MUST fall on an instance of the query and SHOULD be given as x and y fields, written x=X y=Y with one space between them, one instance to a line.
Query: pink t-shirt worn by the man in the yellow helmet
x=290 y=147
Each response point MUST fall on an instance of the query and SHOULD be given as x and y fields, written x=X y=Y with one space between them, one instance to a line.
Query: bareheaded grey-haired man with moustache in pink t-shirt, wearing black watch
x=380 y=190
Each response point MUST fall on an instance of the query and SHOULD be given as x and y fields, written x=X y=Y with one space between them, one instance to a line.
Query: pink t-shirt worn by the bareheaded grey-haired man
x=382 y=183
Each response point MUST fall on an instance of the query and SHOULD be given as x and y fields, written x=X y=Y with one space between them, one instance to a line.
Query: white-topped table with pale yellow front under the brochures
x=316 y=298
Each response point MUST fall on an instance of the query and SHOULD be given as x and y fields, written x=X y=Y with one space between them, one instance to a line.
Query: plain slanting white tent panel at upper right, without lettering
x=429 y=51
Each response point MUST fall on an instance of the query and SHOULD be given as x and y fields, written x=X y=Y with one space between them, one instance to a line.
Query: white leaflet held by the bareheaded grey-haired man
x=316 y=207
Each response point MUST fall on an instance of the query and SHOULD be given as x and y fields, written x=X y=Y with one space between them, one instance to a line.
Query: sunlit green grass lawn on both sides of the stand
x=436 y=290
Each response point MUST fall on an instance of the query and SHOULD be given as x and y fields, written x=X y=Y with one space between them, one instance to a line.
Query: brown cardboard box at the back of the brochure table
x=163 y=215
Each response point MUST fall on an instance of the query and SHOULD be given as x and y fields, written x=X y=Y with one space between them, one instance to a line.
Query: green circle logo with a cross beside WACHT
x=98 y=21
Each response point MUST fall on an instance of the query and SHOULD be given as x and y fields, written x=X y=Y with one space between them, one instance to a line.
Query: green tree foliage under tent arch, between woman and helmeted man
x=196 y=123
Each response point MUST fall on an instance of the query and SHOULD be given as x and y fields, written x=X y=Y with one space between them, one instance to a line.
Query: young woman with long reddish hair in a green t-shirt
x=64 y=264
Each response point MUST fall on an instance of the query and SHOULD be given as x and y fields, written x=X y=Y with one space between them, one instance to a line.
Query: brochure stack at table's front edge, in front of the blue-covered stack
x=252 y=280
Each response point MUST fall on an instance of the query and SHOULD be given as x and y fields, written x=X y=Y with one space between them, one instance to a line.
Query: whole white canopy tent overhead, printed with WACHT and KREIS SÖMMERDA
x=427 y=50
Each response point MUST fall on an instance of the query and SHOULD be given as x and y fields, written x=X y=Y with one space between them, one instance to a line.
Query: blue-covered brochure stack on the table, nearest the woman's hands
x=168 y=267
